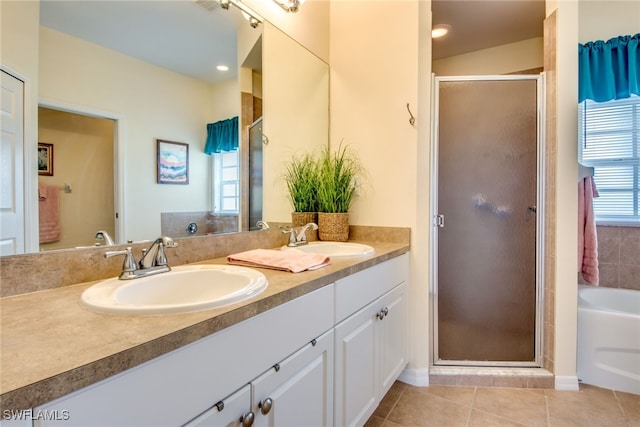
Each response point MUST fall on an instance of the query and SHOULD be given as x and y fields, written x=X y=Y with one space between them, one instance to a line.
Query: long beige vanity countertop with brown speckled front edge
x=51 y=346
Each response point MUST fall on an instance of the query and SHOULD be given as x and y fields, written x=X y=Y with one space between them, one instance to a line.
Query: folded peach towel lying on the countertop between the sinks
x=292 y=261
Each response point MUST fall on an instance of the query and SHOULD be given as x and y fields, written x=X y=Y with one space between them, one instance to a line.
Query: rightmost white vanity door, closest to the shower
x=393 y=337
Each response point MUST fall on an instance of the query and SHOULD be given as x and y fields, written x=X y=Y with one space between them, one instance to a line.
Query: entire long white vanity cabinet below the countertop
x=325 y=358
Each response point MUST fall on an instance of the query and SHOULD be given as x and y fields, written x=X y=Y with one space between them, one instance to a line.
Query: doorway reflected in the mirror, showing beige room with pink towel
x=78 y=197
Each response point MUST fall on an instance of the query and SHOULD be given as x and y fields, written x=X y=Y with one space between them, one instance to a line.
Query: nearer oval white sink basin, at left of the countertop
x=183 y=289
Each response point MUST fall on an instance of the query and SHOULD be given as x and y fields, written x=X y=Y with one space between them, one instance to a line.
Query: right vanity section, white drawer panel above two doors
x=371 y=344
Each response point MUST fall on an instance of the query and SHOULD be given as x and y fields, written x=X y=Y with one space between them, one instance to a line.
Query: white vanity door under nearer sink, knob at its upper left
x=299 y=390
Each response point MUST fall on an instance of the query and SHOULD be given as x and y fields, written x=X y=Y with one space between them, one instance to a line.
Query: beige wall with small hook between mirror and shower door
x=378 y=66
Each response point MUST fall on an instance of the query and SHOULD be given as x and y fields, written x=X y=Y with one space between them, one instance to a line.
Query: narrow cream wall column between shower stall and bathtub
x=566 y=194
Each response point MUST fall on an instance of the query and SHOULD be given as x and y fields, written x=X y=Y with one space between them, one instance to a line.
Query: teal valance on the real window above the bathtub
x=609 y=70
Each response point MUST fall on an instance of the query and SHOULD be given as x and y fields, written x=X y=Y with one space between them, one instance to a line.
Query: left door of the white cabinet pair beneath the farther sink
x=356 y=374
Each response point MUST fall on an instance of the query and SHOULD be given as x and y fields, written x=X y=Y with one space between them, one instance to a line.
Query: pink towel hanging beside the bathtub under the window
x=587 y=236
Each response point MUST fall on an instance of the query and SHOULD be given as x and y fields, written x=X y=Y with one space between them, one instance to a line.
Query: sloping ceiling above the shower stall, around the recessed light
x=480 y=24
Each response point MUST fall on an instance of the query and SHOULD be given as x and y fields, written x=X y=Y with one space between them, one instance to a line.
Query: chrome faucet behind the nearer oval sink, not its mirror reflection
x=154 y=259
